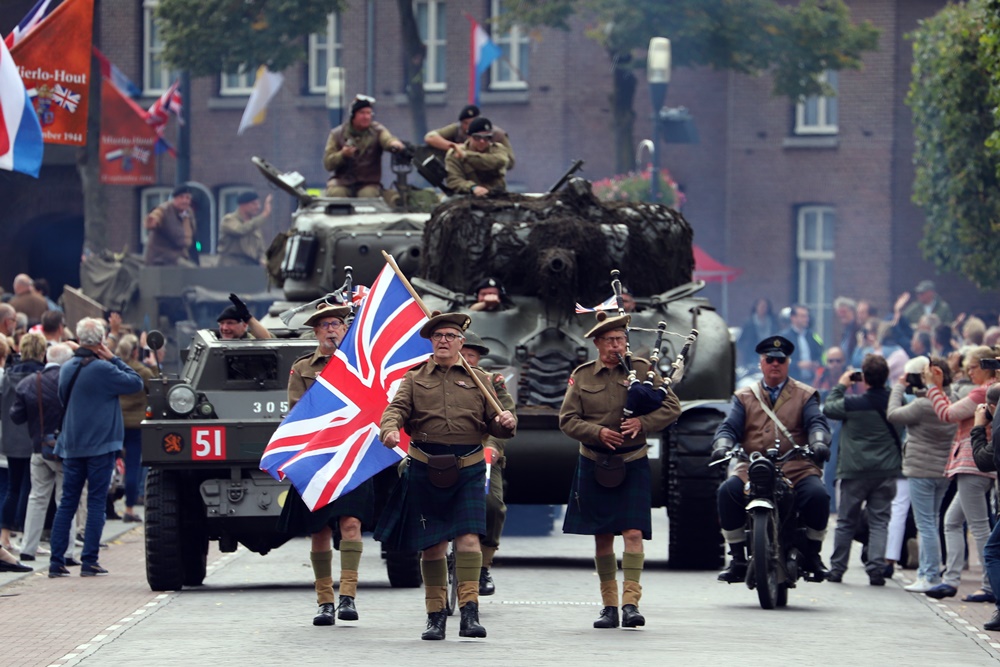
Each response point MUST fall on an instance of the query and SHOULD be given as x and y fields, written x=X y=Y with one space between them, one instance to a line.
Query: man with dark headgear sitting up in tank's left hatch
x=354 y=153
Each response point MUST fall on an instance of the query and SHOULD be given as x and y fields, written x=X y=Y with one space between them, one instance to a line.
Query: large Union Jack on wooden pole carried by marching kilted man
x=328 y=444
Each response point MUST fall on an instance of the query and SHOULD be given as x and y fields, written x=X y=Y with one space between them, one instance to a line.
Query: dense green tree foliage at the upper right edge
x=956 y=179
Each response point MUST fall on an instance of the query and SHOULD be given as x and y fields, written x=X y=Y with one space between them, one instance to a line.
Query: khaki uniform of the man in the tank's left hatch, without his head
x=361 y=175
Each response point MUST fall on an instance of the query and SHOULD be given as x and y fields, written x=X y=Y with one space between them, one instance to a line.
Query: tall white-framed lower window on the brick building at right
x=815 y=255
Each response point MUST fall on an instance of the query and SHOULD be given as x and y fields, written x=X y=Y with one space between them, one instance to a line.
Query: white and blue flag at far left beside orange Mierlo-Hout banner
x=21 y=143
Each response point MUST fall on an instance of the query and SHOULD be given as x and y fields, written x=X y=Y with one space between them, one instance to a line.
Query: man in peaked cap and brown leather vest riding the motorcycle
x=796 y=405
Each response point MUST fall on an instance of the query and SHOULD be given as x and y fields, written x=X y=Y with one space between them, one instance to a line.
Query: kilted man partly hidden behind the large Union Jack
x=348 y=513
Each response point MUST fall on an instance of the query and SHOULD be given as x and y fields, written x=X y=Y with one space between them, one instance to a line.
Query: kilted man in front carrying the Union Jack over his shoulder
x=439 y=497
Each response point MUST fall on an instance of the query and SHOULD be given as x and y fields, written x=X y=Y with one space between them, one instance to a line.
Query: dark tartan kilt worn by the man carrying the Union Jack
x=419 y=515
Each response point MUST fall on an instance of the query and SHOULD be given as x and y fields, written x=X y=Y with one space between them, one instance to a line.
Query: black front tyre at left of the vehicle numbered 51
x=164 y=564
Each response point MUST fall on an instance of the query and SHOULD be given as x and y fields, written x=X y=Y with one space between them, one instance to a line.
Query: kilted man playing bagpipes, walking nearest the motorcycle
x=611 y=493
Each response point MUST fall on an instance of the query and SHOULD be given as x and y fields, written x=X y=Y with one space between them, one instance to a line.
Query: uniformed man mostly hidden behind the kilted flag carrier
x=496 y=511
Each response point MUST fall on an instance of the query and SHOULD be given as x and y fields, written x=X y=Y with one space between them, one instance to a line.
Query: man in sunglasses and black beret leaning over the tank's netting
x=479 y=167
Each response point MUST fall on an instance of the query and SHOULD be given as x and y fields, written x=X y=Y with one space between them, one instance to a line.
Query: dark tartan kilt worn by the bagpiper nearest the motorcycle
x=596 y=510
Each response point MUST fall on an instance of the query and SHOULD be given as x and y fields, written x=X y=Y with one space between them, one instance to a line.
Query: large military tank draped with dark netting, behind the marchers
x=549 y=252
